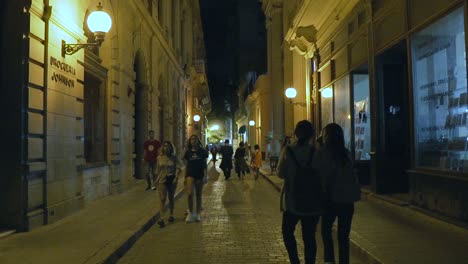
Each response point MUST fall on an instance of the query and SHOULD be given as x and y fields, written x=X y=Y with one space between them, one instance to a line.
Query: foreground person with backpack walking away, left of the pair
x=300 y=195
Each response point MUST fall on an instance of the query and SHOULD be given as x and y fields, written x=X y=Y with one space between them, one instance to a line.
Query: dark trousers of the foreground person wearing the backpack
x=309 y=226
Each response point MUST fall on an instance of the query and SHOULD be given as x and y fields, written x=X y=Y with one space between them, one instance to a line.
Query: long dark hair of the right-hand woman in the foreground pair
x=333 y=139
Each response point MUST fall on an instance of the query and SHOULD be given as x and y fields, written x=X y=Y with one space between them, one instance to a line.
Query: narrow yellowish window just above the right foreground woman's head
x=342 y=109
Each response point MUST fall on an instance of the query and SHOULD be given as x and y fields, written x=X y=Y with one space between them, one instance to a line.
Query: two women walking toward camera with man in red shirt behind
x=164 y=169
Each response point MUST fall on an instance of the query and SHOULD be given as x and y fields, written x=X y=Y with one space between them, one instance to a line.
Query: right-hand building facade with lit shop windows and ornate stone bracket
x=392 y=73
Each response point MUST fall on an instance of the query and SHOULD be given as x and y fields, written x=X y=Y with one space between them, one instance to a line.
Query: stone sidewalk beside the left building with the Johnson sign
x=99 y=233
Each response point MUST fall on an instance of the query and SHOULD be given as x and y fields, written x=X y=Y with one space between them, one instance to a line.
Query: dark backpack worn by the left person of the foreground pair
x=306 y=186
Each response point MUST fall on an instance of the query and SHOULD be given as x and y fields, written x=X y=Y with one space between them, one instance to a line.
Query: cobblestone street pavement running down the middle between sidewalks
x=241 y=224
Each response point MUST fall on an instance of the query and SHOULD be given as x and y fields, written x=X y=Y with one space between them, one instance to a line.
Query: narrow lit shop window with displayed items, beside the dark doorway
x=362 y=135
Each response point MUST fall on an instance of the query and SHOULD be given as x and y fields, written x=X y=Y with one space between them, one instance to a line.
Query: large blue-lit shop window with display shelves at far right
x=440 y=94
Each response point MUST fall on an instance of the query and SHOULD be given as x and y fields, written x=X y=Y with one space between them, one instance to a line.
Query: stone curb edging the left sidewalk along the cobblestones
x=128 y=243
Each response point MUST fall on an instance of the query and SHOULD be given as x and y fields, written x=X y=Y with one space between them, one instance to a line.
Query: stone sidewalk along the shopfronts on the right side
x=384 y=232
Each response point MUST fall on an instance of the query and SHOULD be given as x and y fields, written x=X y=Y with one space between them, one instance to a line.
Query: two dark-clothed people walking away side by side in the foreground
x=318 y=182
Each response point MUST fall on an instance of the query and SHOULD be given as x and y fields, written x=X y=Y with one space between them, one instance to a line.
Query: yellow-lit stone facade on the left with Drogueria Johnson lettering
x=76 y=123
